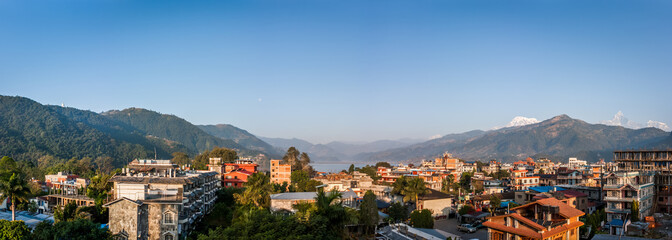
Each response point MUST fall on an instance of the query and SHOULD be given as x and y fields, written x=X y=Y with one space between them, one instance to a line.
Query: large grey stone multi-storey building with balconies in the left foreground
x=154 y=200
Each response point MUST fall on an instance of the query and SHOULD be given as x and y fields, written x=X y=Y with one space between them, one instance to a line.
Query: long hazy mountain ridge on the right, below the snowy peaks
x=559 y=137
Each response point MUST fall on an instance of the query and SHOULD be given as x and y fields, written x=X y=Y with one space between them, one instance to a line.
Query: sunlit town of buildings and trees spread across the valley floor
x=444 y=198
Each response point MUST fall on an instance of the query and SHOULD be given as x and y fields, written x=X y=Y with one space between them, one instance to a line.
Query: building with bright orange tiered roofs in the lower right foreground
x=546 y=219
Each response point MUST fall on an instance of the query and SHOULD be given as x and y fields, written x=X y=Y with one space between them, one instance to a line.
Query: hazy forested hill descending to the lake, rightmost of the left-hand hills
x=240 y=136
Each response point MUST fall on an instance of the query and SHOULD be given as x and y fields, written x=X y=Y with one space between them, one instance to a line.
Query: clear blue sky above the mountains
x=344 y=70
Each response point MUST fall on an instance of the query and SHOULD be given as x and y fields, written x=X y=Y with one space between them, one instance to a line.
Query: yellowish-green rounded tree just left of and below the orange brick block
x=257 y=191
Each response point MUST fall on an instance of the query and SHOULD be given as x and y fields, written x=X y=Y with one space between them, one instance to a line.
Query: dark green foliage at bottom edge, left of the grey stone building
x=80 y=229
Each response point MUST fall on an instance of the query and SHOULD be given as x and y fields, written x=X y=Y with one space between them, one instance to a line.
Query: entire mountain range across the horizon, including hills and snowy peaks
x=29 y=130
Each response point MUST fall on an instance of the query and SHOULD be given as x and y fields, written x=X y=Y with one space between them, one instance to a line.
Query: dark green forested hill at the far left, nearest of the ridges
x=29 y=130
